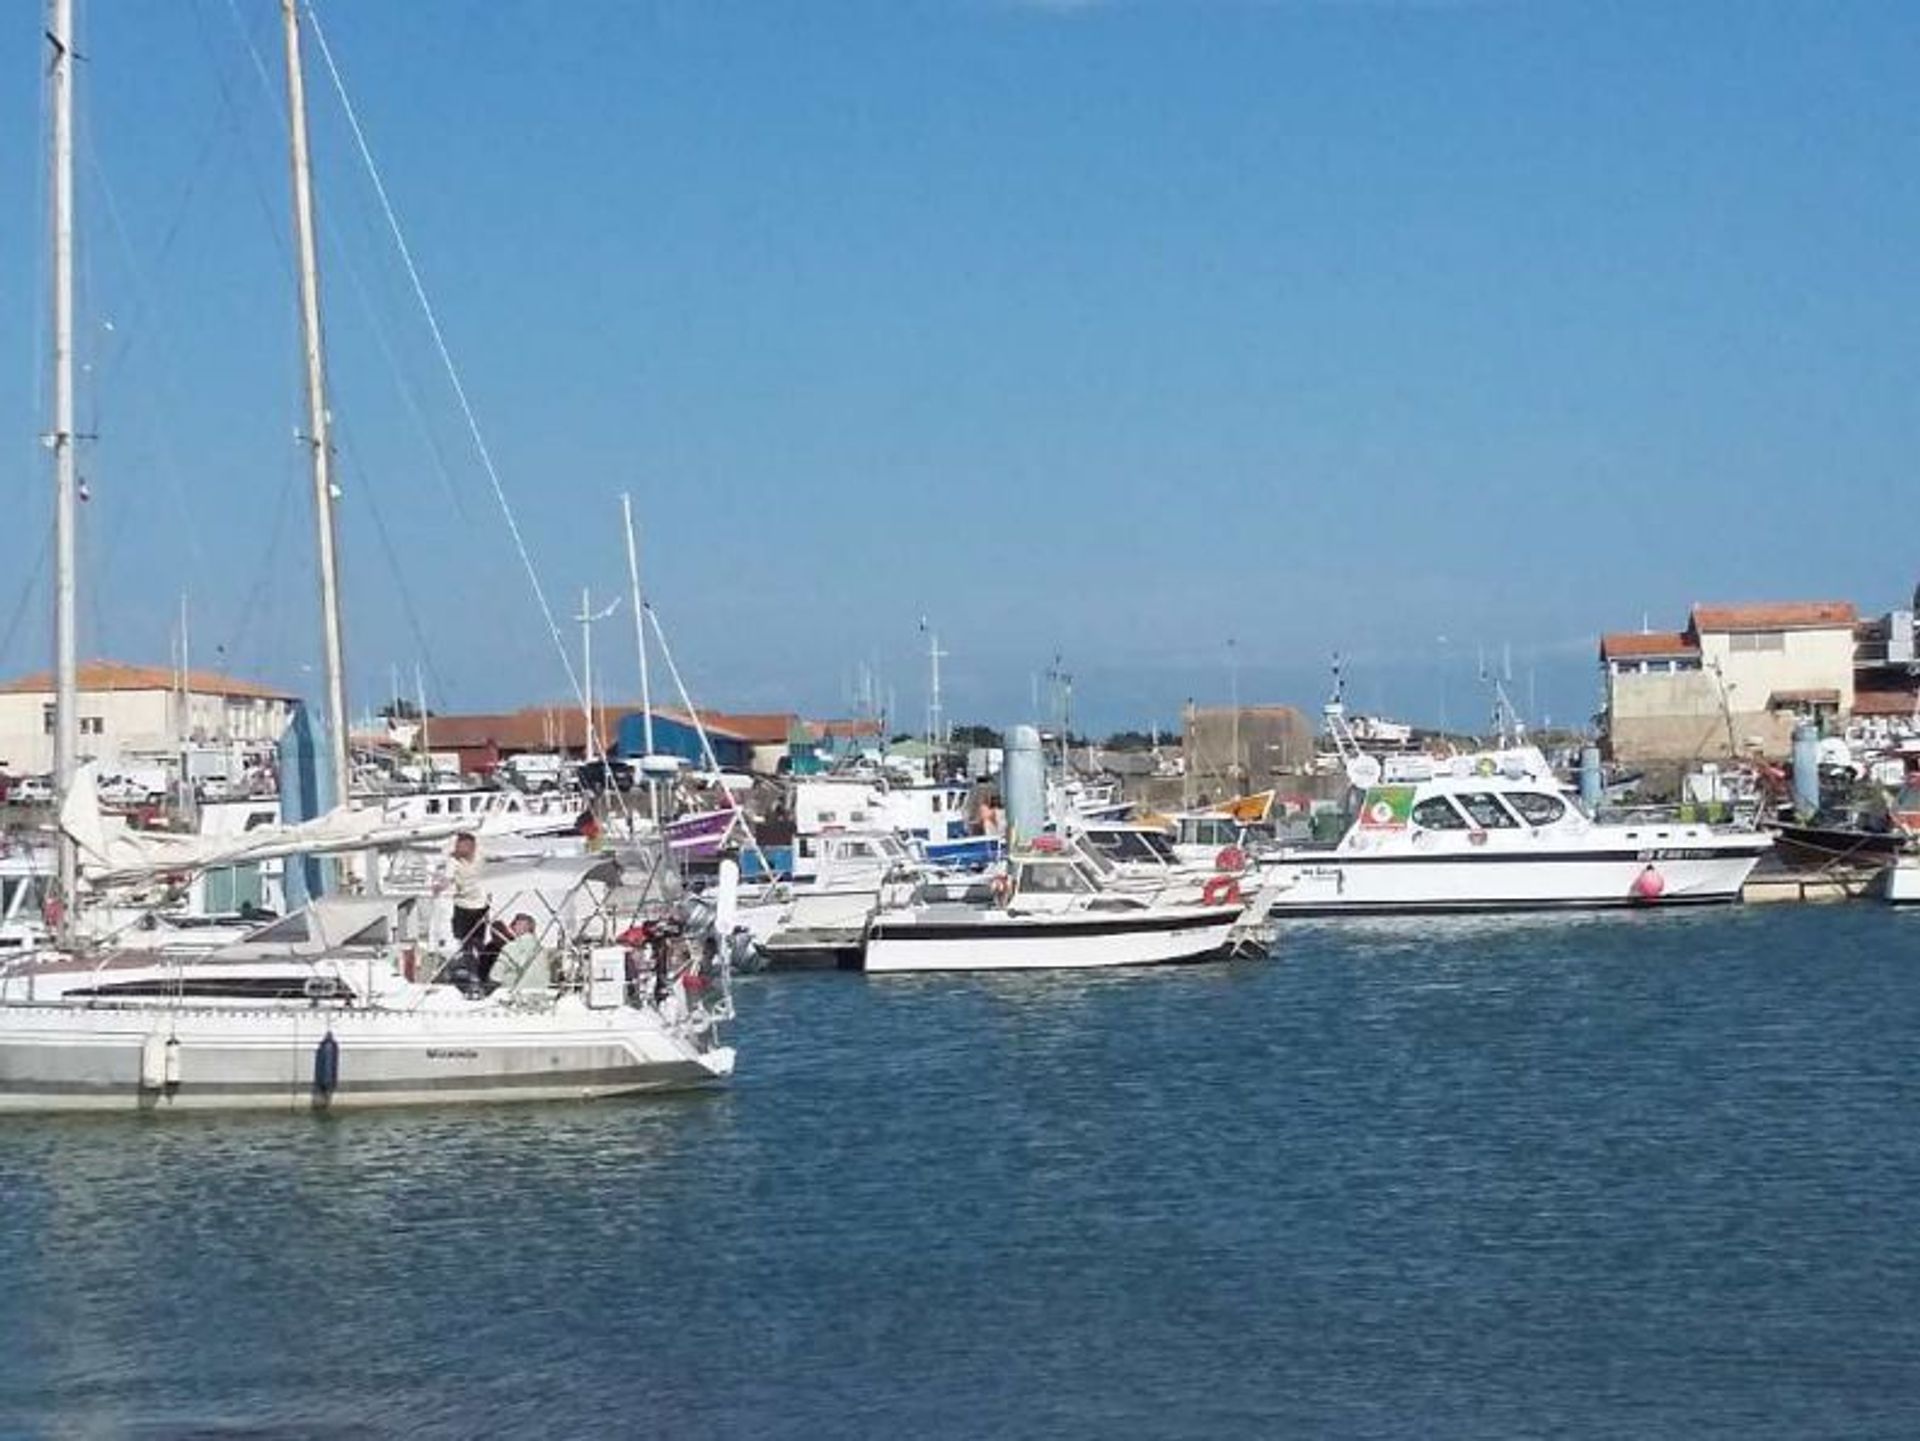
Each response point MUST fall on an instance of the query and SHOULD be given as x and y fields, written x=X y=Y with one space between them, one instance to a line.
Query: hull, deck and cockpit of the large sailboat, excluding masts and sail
x=339 y=1006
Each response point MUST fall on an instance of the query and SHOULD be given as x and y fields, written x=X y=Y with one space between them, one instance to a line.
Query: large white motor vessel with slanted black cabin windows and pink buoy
x=1497 y=832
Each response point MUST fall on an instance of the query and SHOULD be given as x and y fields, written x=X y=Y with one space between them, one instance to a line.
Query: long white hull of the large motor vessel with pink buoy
x=1332 y=884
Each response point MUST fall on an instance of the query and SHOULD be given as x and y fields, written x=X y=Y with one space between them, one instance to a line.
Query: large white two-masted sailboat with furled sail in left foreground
x=335 y=1004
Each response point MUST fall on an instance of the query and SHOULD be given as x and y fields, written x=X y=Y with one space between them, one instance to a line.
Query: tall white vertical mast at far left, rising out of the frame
x=60 y=440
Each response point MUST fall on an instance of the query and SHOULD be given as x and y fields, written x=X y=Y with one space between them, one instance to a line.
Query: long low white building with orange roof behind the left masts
x=137 y=711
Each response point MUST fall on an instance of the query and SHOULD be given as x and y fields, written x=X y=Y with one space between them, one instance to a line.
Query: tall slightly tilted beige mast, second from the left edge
x=318 y=417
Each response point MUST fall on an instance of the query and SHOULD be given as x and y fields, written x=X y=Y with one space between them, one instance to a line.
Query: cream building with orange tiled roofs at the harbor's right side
x=1731 y=684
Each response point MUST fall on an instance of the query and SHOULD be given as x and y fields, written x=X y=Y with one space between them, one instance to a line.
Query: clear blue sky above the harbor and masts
x=1115 y=331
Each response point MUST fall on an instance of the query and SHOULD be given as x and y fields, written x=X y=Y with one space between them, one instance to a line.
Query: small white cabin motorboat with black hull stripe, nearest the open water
x=1045 y=912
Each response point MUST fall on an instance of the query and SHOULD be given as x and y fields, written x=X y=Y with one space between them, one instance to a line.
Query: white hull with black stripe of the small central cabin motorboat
x=1001 y=941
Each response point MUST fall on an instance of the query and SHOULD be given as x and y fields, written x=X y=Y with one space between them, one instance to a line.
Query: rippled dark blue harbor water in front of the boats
x=1631 y=1175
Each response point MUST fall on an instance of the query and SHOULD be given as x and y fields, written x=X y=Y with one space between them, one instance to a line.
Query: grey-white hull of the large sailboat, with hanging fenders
x=103 y=1058
